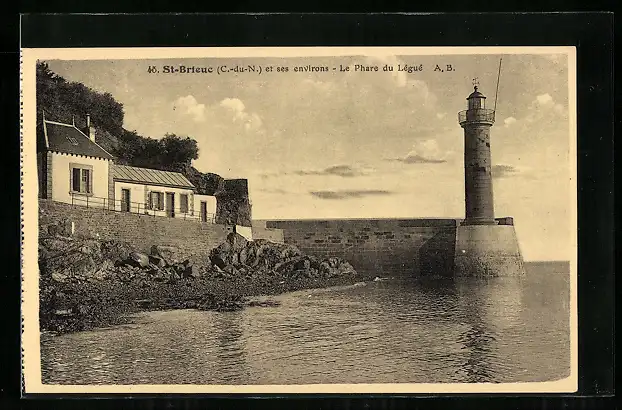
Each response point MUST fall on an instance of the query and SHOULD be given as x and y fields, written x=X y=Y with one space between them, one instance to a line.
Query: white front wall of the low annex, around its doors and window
x=138 y=196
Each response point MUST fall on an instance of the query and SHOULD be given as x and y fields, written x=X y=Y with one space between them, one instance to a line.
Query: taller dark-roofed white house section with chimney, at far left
x=72 y=167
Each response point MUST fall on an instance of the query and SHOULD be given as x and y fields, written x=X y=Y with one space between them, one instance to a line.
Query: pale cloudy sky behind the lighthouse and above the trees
x=353 y=144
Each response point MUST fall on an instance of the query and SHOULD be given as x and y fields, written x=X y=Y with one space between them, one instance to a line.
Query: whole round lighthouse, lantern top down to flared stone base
x=485 y=246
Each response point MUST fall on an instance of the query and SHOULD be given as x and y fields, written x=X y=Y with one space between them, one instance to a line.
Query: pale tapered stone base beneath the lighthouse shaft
x=484 y=250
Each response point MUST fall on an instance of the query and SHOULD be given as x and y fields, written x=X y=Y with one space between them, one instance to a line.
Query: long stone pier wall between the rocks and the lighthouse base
x=408 y=247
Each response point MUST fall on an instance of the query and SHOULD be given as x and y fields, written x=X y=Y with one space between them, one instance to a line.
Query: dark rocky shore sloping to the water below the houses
x=88 y=283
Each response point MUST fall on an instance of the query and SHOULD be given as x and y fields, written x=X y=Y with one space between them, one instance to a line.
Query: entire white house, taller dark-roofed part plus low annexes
x=73 y=168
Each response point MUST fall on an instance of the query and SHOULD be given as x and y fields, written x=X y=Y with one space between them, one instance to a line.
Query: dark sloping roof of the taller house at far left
x=68 y=139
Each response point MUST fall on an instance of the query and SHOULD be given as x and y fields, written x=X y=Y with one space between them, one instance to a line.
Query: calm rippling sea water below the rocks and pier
x=390 y=331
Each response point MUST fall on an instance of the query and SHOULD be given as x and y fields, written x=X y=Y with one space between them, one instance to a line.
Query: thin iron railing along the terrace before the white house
x=119 y=205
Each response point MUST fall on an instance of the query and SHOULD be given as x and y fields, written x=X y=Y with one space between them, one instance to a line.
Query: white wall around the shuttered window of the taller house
x=61 y=177
